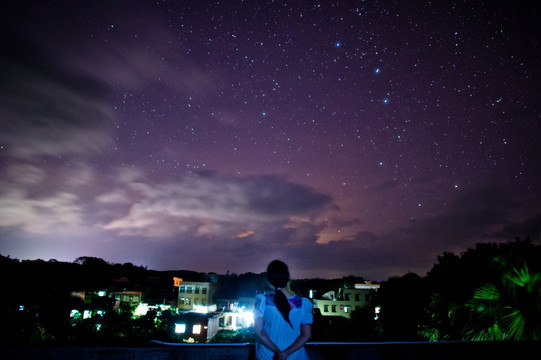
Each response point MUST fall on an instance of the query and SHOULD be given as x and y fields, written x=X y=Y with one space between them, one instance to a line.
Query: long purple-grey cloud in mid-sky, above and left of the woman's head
x=222 y=205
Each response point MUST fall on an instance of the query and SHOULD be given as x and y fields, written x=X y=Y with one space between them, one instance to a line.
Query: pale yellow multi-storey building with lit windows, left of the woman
x=197 y=296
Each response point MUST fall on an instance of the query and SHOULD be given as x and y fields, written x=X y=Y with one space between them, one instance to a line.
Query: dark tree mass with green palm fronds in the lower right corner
x=490 y=292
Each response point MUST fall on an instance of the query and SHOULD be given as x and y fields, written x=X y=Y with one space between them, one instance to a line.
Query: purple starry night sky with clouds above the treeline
x=344 y=137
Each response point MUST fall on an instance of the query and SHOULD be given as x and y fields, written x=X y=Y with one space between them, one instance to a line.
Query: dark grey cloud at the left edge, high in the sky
x=48 y=111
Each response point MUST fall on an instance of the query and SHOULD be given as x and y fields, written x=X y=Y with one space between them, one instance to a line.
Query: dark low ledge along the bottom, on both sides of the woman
x=317 y=351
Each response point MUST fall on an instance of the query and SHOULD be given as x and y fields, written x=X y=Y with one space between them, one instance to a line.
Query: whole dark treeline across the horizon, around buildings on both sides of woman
x=489 y=292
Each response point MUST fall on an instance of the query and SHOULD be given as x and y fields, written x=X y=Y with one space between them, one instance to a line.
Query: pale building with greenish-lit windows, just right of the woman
x=347 y=300
